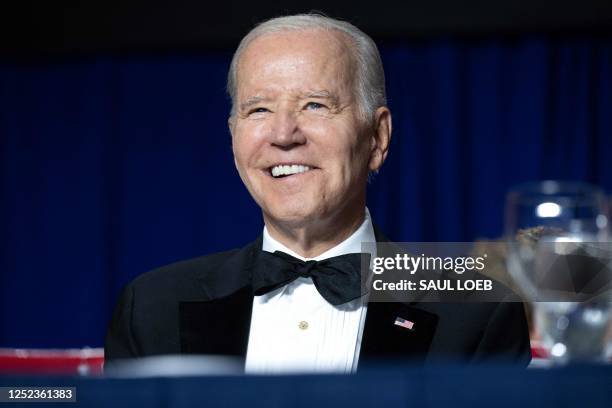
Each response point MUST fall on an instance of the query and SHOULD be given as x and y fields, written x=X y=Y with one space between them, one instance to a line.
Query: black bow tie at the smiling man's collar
x=337 y=279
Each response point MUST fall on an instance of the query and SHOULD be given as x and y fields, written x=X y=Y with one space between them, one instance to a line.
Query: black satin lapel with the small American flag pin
x=384 y=336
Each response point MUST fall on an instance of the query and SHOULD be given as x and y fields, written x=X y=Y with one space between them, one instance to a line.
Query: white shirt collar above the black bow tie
x=365 y=233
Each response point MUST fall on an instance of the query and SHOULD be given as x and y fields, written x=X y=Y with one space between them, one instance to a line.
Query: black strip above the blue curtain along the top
x=78 y=27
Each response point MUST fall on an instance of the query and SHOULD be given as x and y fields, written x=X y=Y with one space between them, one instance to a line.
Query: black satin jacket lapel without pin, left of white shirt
x=220 y=324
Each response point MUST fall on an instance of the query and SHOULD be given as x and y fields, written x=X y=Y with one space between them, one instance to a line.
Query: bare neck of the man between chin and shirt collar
x=314 y=238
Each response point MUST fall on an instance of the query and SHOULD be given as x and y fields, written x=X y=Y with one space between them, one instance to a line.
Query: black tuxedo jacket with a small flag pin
x=203 y=306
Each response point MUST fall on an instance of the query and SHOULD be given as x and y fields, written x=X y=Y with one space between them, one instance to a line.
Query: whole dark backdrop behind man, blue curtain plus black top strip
x=115 y=156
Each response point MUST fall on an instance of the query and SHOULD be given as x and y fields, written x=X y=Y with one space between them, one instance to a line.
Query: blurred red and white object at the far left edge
x=86 y=361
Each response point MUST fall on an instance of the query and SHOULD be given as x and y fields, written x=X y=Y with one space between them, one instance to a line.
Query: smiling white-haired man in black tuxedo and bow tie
x=309 y=122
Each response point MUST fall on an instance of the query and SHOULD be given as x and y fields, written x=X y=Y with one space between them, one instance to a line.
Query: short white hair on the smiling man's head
x=369 y=74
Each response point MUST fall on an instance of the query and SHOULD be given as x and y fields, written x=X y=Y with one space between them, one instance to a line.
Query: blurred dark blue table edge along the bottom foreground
x=379 y=386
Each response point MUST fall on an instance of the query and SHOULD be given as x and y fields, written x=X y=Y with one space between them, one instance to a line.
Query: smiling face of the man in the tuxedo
x=300 y=144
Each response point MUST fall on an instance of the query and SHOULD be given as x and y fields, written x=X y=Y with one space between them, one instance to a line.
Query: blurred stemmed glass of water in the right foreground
x=559 y=254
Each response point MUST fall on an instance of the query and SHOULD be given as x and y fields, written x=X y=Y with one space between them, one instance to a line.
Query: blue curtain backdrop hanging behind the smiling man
x=113 y=165
